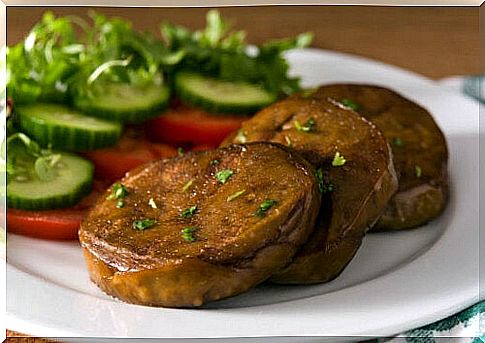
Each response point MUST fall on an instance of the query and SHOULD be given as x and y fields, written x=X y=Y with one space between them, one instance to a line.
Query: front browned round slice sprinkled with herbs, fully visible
x=201 y=227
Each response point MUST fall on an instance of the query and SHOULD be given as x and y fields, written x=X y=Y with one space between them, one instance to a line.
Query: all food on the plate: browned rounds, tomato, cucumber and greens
x=193 y=167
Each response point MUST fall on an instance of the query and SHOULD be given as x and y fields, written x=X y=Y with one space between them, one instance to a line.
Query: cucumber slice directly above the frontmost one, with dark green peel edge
x=65 y=128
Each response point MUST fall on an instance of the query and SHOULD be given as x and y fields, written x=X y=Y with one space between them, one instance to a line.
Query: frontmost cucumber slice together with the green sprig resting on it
x=41 y=179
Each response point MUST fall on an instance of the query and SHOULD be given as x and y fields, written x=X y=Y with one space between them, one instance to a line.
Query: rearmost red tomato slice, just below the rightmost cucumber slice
x=187 y=125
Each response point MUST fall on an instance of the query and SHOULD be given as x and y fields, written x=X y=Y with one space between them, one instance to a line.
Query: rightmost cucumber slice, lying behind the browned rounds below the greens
x=218 y=96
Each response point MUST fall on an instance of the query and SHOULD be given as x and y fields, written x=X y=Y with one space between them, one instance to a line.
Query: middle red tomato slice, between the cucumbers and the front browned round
x=131 y=151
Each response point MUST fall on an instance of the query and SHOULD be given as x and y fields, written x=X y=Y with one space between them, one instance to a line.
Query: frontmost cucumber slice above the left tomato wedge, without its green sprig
x=73 y=180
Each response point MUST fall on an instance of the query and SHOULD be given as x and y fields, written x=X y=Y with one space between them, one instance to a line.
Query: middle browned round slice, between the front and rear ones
x=356 y=192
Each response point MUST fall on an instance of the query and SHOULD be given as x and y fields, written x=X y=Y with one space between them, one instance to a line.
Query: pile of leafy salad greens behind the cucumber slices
x=67 y=56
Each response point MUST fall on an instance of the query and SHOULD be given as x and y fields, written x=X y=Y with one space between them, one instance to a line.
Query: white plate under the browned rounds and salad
x=397 y=281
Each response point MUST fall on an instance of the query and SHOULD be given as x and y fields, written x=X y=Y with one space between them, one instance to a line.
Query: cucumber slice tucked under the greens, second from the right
x=126 y=103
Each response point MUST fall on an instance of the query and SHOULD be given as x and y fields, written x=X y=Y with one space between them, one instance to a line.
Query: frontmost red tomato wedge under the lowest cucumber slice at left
x=60 y=224
